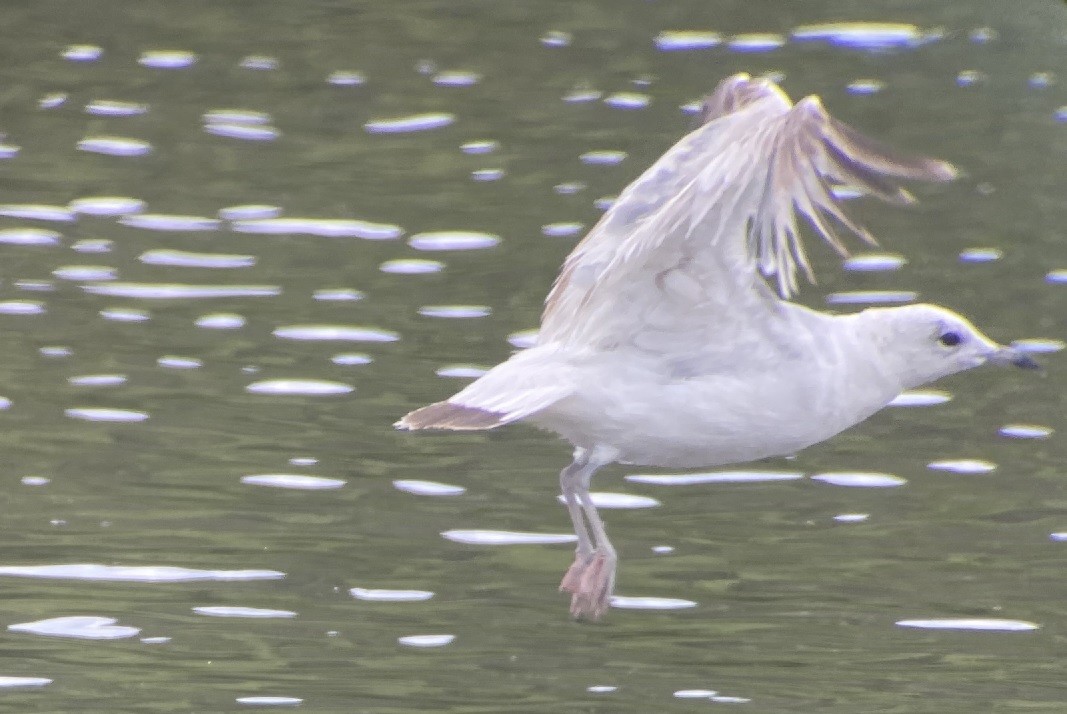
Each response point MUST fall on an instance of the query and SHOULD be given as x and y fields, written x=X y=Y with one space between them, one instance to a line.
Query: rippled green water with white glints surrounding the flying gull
x=241 y=240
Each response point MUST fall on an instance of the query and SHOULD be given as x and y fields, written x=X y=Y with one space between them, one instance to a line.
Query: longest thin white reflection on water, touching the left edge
x=92 y=572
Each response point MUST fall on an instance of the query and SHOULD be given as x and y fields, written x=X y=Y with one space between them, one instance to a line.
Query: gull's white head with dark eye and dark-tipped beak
x=931 y=343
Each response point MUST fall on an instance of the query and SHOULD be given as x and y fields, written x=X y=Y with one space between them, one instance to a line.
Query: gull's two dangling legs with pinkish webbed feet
x=591 y=580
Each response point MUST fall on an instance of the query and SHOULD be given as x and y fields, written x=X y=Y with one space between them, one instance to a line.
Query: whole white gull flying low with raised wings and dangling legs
x=662 y=343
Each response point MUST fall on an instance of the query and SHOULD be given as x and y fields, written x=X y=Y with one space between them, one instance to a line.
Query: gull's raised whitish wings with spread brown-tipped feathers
x=680 y=253
